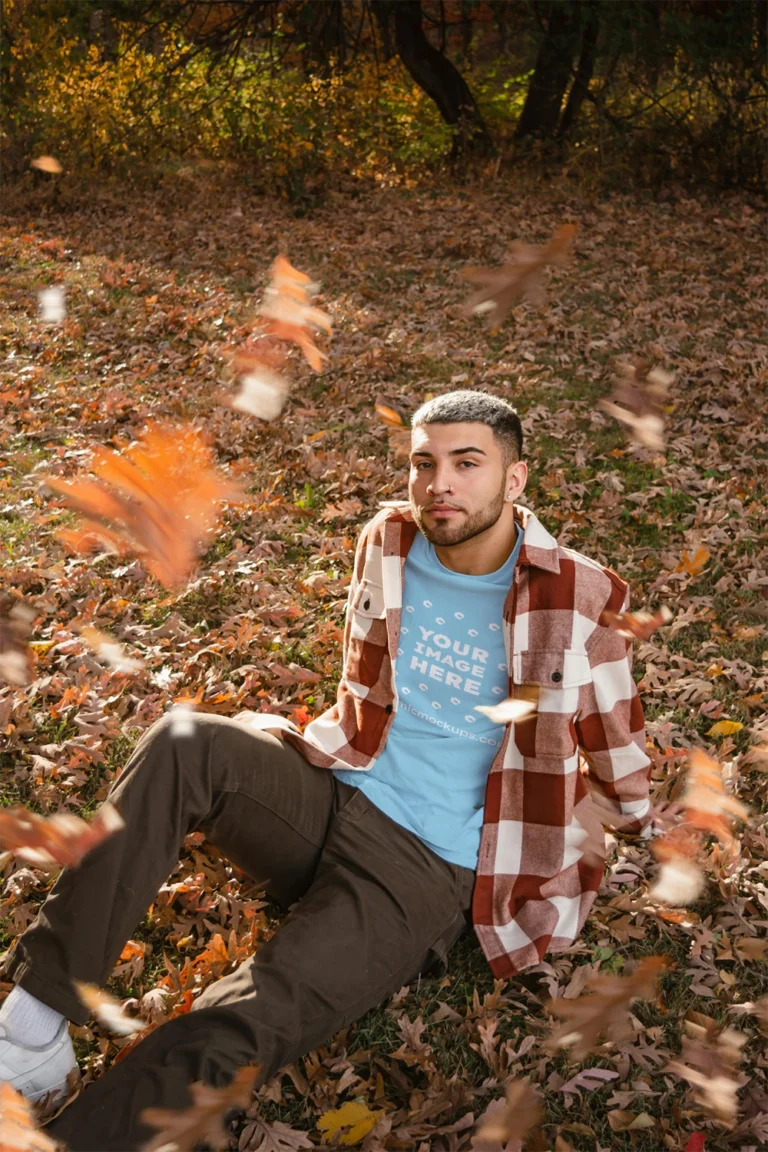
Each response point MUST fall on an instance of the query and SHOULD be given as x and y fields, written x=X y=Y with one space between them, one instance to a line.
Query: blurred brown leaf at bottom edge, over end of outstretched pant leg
x=203 y=1121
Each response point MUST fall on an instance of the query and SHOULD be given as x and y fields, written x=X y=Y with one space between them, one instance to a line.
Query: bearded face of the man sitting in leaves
x=458 y=481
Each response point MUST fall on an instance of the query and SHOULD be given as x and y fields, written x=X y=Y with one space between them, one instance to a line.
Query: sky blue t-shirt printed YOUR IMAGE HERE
x=431 y=776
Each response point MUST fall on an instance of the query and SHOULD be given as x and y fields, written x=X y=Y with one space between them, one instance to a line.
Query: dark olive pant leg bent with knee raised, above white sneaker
x=254 y=797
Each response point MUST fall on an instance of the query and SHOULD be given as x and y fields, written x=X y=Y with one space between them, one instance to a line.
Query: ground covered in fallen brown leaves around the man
x=158 y=286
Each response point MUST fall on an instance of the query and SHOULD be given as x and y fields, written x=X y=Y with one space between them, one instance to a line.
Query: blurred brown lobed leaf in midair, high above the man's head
x=521 y=278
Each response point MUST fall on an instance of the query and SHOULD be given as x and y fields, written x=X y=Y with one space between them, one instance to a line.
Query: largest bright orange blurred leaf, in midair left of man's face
x=159 y=499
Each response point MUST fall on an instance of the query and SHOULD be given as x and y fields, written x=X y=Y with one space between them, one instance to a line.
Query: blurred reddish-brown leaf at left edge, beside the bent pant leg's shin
x=56 y=842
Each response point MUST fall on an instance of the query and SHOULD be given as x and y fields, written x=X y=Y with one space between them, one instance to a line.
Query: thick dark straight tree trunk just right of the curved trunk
x=553 y=71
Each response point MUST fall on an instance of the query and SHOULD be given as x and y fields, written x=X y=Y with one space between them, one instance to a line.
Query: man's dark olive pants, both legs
x=375 y=908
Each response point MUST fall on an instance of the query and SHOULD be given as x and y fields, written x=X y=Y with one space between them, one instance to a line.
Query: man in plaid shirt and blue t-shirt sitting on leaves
x=401 y=816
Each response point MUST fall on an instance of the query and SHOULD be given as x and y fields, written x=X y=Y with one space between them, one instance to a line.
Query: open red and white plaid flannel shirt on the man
x=534 y=888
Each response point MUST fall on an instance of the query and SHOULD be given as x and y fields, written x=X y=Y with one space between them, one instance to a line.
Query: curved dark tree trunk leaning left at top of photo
x=439 y=79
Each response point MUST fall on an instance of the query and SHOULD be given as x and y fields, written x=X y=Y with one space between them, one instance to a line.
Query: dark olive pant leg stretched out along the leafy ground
x=382 y=910
